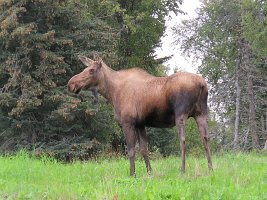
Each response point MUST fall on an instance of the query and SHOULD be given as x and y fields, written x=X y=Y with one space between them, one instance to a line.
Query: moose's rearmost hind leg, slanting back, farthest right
x=203 y=131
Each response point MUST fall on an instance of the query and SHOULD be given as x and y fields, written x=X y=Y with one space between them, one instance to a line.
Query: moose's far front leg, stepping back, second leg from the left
x=144 y=148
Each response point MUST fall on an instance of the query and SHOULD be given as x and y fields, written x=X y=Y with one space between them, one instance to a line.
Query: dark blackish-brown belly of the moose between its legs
x=160 y=119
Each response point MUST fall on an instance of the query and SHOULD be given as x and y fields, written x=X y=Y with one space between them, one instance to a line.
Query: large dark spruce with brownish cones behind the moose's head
x=39 y=44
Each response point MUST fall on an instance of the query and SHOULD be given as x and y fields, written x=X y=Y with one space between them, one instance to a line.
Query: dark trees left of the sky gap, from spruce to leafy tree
x=40 y=41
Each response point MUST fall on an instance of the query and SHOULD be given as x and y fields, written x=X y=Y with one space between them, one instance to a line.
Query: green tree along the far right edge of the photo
x=254 y=20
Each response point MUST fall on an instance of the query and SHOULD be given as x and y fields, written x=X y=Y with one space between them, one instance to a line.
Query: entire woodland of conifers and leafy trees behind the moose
x=40 y=42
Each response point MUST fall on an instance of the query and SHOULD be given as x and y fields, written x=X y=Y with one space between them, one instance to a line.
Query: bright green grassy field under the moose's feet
x=235 y=176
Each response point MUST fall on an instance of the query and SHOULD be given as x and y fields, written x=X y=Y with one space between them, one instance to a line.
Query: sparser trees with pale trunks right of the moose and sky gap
x=230 y=39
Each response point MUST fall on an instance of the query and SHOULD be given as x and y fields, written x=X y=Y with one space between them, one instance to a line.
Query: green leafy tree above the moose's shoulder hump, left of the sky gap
x=142 y=24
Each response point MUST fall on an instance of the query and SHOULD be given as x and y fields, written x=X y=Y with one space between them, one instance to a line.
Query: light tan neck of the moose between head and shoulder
x=108 y=83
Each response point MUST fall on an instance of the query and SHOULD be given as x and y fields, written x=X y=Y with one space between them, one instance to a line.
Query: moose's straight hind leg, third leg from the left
x=180 y=123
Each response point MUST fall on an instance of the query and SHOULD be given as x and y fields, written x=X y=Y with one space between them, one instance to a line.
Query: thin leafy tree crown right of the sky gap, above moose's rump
x=212 y=38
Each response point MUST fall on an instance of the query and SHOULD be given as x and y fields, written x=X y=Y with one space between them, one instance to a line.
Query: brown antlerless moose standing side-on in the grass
x=142 y=100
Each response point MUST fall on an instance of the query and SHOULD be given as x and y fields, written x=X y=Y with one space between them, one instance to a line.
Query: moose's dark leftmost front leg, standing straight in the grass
x=130 y=136
